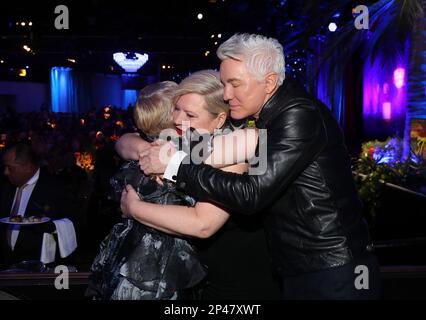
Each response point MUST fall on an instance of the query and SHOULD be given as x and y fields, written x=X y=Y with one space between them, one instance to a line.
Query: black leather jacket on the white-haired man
x=312 y=212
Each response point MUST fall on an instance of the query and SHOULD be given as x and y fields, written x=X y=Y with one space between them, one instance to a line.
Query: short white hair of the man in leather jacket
x=262 y=55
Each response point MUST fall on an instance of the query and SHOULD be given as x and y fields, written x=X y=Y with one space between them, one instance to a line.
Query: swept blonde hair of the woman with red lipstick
x=207 y=84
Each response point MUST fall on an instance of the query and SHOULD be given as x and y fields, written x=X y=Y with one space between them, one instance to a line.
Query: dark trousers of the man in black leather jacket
x=357 y=280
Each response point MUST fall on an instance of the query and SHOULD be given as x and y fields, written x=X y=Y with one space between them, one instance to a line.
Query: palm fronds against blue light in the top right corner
x=387 y=18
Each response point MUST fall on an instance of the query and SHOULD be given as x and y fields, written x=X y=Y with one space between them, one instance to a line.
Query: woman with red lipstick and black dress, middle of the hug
x=199 y=104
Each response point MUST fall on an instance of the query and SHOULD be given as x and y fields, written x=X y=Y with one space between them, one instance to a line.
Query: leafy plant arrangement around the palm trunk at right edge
x=383 y=162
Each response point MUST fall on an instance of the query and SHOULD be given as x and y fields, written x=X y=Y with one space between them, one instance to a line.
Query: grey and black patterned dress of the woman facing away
x=137 y=262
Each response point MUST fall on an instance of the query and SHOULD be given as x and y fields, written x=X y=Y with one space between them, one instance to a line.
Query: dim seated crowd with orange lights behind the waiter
x=79 y=150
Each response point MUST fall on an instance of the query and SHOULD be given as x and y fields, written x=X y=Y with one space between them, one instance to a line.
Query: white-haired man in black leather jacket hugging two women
x=318 y=239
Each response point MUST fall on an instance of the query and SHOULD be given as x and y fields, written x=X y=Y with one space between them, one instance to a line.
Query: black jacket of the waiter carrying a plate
x=48 y=198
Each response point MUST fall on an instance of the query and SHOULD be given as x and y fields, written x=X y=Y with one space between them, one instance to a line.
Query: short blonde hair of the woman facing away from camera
x=154 y=107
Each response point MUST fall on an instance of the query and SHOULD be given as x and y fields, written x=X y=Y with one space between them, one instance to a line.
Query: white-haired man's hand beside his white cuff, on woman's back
x=154 y=160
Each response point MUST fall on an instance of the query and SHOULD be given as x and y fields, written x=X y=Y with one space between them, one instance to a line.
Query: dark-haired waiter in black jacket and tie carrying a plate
x=30 y=191
